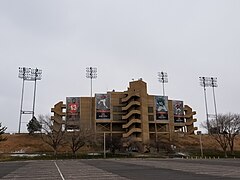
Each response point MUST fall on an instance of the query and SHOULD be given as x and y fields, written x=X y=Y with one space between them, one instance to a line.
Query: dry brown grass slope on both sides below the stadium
x=33 y=143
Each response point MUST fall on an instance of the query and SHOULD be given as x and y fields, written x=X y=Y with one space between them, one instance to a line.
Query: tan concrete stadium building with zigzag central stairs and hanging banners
x=129 y=114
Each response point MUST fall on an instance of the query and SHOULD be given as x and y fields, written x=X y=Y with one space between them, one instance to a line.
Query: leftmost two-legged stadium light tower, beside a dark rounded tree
x=28 y=74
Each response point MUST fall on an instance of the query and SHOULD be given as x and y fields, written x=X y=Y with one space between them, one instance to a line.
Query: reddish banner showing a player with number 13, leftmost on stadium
x=73 y=108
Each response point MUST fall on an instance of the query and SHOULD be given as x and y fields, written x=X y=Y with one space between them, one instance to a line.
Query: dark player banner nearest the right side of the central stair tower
x=161 y=103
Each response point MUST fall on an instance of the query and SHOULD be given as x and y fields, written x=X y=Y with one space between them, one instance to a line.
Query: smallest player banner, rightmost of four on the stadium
x=178 y=111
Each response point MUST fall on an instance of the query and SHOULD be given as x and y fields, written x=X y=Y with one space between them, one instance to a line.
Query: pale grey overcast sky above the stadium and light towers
x=125 y=40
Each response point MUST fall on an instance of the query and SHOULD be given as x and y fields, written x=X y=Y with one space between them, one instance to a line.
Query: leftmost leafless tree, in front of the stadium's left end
x=52 y=134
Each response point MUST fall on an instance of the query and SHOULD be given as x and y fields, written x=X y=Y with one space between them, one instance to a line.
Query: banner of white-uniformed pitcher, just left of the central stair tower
x=102 y=106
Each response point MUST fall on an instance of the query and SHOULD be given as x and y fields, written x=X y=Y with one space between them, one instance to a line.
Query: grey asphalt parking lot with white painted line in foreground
x=122 y=169
